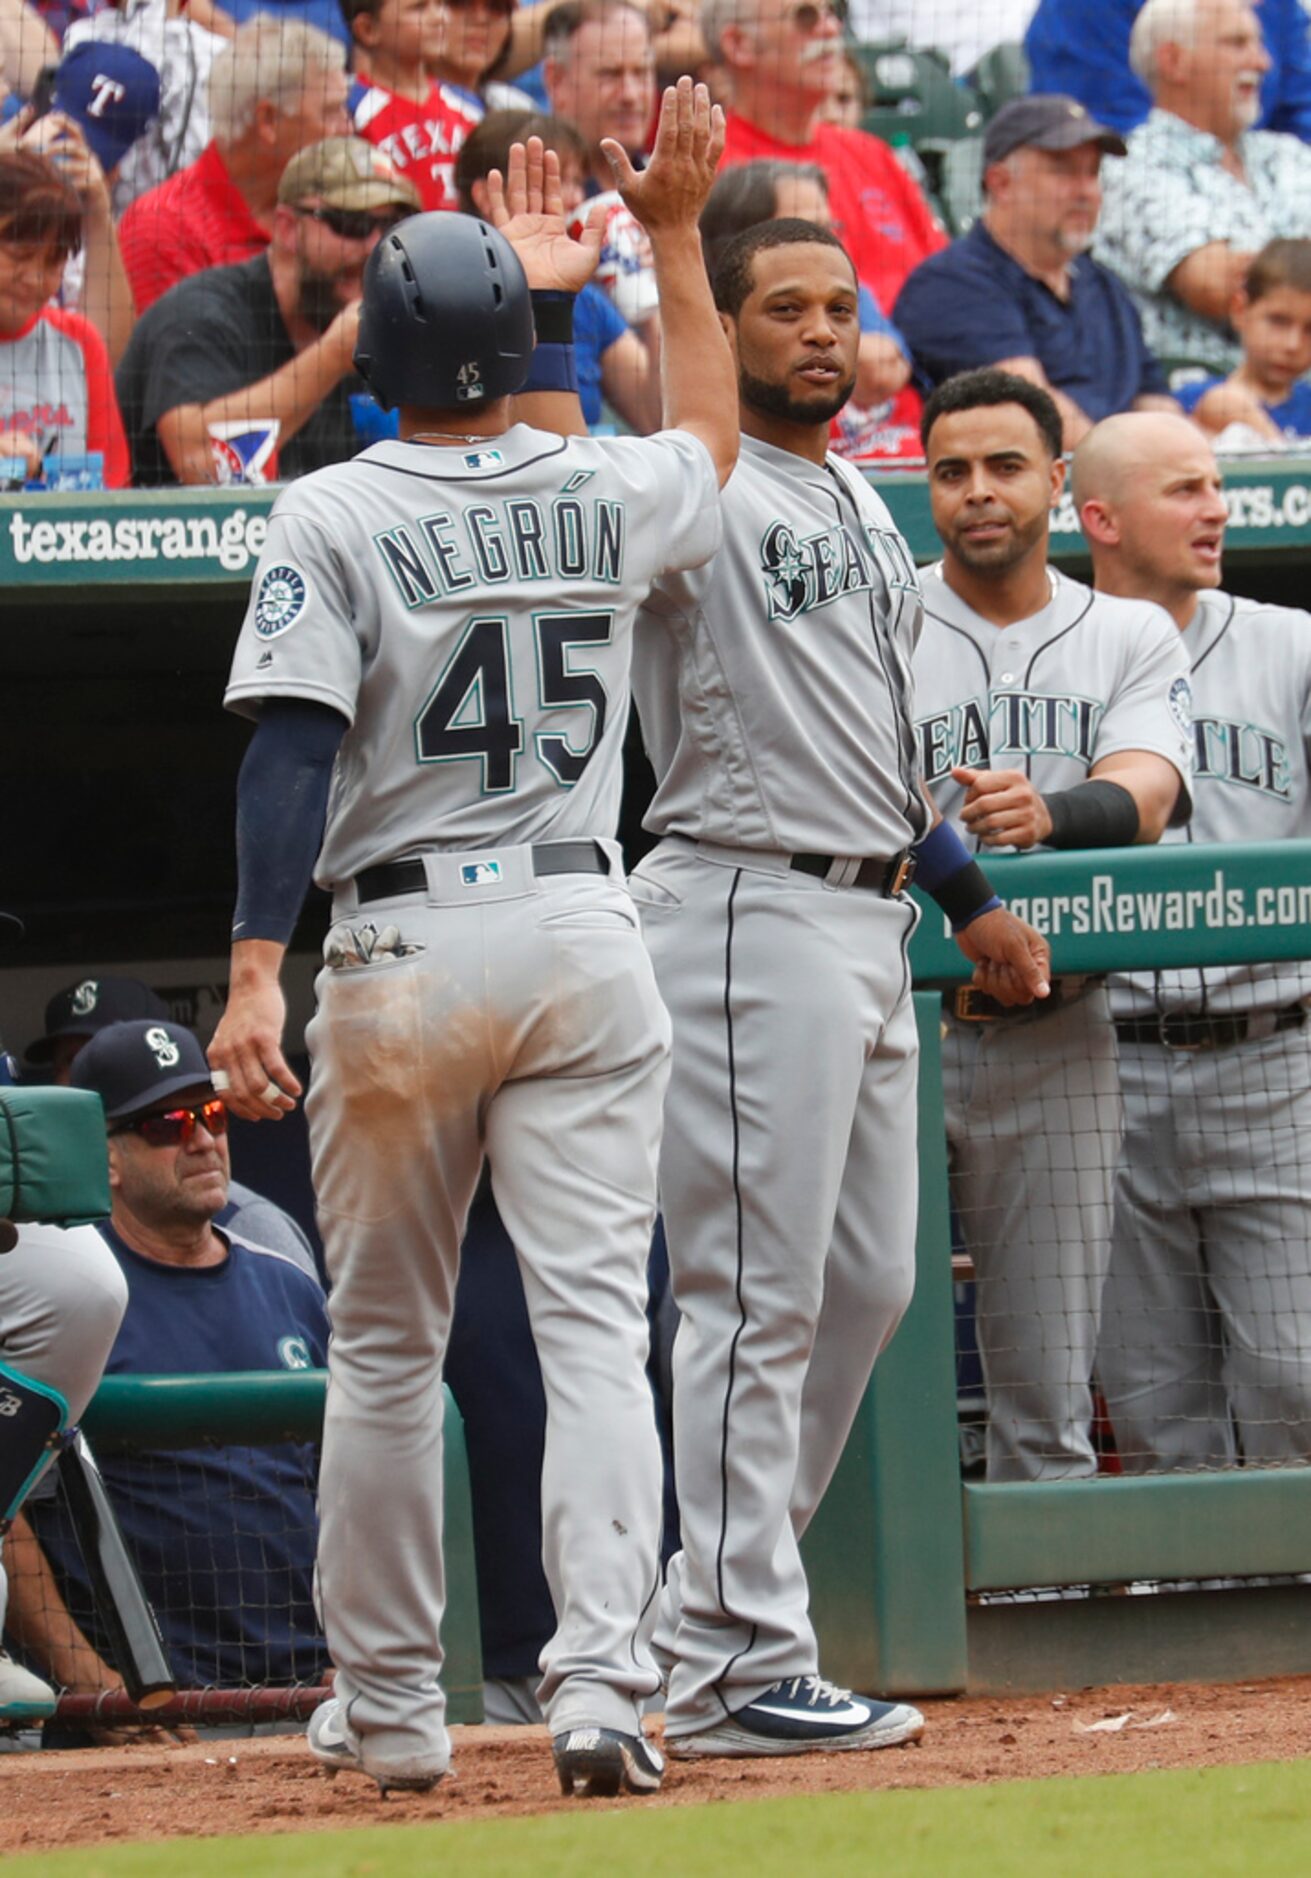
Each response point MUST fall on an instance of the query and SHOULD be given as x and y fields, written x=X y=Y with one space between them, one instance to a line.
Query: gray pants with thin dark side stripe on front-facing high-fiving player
x=788 y=1186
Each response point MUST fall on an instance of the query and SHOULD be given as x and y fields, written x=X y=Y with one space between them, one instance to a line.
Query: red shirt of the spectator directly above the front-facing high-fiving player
x=880 y=215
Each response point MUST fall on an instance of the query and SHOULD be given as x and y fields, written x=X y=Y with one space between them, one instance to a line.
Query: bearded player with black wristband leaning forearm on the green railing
x=1047 y=716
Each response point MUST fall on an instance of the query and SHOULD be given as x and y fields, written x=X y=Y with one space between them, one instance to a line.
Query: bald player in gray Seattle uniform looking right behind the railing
x=1207 y=1327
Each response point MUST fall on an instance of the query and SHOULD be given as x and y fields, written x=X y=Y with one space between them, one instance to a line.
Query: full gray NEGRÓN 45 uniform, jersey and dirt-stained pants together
x=469 y=611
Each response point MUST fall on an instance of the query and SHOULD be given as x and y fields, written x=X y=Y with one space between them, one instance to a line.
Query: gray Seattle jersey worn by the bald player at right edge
x=1252 y=726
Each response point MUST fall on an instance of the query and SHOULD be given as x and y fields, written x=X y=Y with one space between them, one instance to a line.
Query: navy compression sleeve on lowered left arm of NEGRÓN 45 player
x=283 y=799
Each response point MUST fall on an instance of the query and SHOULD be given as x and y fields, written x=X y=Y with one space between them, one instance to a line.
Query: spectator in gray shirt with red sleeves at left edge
x=57 y=393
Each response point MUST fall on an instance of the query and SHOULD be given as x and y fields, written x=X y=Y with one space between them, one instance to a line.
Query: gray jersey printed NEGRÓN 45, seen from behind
x=469 y=613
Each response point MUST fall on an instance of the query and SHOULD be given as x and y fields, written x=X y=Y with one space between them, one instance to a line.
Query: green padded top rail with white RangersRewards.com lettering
x=1143 y=908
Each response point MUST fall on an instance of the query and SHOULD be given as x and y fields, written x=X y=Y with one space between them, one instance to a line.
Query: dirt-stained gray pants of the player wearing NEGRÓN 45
x=525 y=1026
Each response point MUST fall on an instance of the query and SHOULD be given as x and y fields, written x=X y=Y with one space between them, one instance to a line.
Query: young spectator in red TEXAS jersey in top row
x=418 y=123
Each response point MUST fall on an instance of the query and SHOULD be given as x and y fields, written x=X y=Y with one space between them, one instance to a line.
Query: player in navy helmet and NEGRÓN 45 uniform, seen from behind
x=454 y=613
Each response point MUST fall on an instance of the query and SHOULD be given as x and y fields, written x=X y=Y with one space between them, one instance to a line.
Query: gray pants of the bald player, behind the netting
x=1207 y=1325
